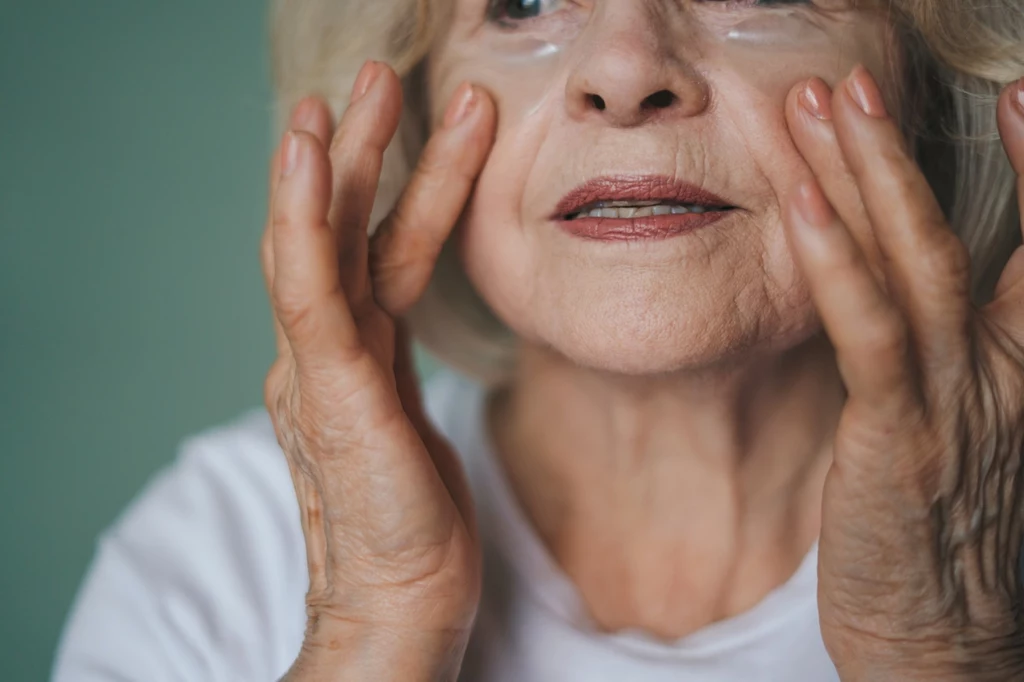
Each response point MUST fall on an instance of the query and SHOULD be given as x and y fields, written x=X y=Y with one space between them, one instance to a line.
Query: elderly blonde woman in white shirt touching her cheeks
x=737 y=284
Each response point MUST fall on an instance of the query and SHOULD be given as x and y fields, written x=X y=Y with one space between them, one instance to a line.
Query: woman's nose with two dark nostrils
x=628 y=75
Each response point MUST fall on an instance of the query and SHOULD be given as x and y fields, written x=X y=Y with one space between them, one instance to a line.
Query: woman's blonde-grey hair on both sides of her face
x=957 y=57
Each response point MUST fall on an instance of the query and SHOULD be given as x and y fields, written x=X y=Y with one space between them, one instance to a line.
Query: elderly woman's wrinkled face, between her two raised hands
x=667 y=111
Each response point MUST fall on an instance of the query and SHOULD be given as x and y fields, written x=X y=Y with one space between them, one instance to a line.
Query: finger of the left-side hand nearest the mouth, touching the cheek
x=406 y=246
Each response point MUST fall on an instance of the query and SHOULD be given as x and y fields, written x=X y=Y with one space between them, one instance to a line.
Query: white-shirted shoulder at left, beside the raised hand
x=202 y=575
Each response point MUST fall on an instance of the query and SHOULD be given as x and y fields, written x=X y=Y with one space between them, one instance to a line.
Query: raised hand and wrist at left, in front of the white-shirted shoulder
x=392 y=544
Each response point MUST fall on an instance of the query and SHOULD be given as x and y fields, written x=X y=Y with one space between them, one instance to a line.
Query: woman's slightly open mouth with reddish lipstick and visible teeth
x=626 y=208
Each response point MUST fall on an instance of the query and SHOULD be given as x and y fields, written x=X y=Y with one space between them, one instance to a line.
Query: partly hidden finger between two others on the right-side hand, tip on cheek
x=808 y=113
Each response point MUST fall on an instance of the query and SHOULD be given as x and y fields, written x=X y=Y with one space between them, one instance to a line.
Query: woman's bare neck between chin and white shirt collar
x=677 y=501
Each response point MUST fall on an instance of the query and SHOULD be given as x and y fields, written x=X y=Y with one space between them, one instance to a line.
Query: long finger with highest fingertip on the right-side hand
x=928 y=267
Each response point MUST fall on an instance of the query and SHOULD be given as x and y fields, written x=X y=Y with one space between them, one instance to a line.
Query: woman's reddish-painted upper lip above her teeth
x=634 y=188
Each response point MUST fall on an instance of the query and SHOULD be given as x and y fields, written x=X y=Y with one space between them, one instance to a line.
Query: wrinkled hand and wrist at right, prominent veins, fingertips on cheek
x=923 y=518
